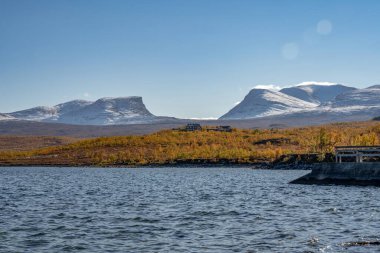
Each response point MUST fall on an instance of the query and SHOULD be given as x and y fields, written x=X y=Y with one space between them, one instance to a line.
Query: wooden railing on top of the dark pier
x=357 y=152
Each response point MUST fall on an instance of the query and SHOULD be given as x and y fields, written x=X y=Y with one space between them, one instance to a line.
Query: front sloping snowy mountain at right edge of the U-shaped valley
x=263 y=102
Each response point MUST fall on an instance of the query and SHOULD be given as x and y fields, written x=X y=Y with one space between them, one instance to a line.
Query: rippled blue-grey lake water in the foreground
x=181 y=210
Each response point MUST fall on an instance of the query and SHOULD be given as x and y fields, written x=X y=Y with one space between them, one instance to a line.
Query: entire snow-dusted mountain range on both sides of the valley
x=309 y=102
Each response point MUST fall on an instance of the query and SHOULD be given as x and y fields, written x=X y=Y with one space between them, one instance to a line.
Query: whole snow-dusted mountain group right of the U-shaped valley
x=308 y=100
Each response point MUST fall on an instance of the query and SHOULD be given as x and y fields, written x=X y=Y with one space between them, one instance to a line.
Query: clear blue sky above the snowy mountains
x=185 y=58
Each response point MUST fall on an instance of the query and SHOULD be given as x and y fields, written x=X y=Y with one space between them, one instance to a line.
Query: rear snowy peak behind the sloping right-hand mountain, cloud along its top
x=316 y=93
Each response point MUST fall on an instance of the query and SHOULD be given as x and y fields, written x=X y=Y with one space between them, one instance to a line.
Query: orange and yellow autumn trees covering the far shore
x=241 y=146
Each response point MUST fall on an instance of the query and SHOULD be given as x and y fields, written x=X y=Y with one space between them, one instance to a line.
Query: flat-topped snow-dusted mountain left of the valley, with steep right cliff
x=105 y=111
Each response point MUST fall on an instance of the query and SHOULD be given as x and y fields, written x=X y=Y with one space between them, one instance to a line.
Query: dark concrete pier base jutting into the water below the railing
x=343 y=174
